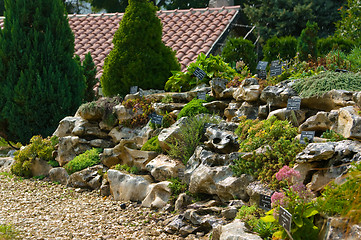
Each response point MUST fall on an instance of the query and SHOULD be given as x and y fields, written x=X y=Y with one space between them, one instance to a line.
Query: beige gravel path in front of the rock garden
x=45 y=210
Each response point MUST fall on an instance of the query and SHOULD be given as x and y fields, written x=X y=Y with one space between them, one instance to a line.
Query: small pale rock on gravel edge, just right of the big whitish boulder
x=158 y=195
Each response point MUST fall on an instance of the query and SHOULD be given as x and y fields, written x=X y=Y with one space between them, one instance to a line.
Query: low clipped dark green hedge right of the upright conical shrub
x=325 y=45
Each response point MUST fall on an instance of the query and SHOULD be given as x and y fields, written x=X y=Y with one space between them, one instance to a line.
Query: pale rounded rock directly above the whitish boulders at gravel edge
x=163 y=167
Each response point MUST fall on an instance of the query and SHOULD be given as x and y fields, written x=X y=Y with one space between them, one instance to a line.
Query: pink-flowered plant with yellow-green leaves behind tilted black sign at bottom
x=297 y=200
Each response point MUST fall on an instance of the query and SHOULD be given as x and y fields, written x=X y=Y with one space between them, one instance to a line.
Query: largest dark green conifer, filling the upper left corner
x=40 y=81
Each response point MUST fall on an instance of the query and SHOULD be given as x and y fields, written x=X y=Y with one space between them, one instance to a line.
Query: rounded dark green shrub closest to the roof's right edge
x=239 y=49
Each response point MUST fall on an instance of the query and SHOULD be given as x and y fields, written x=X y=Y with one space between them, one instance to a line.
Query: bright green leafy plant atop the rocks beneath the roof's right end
x=214 y=67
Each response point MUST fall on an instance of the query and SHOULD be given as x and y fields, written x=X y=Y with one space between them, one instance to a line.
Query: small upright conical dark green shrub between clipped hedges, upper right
x=307 y=42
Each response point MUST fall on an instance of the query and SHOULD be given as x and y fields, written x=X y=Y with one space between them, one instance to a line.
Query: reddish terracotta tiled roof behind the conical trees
x=188 y=32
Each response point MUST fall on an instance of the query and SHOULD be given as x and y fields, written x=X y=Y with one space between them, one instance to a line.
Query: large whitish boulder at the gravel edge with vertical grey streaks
x=125 y=187
